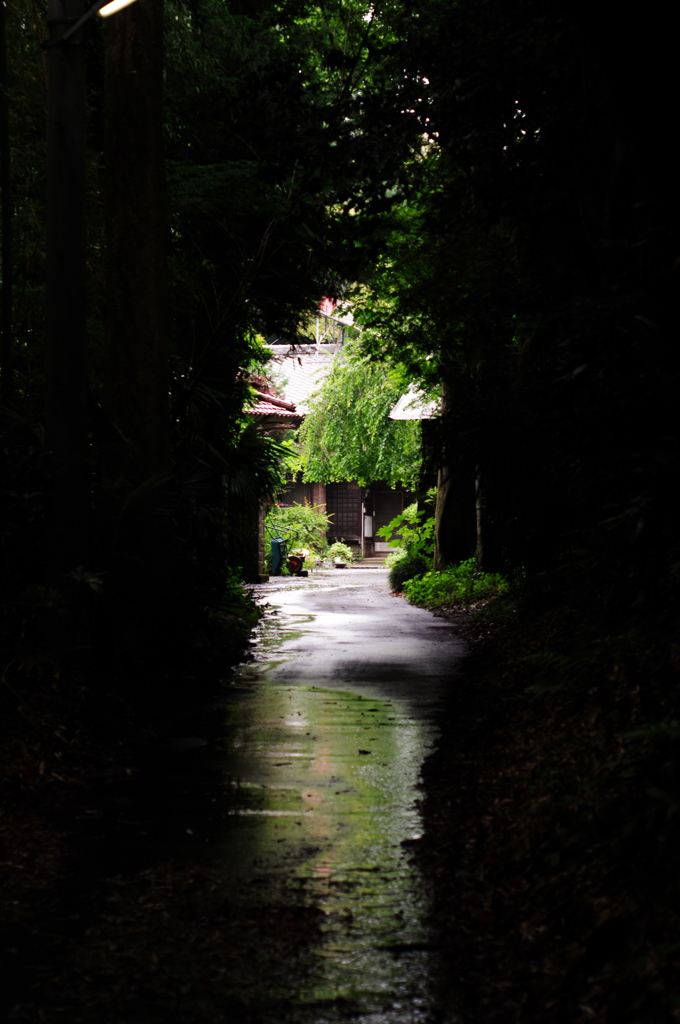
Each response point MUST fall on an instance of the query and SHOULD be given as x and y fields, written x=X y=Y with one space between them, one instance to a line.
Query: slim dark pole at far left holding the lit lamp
x=66 y=387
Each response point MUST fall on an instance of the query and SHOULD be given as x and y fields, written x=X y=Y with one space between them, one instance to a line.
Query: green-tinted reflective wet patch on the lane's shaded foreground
x=324 y=806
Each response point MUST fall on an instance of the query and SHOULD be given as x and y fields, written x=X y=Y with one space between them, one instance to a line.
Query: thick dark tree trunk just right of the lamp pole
x=136 y=463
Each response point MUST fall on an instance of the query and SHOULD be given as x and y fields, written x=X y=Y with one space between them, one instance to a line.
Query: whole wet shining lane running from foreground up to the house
x=329 y=727
